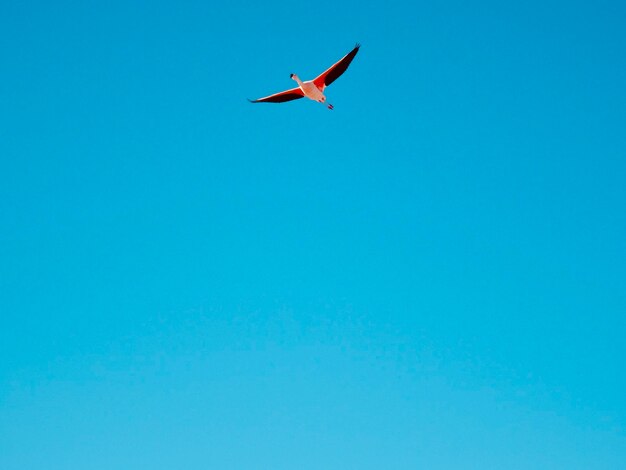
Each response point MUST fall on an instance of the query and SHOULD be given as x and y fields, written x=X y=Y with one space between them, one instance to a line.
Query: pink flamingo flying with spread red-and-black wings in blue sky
x=313 y=89
